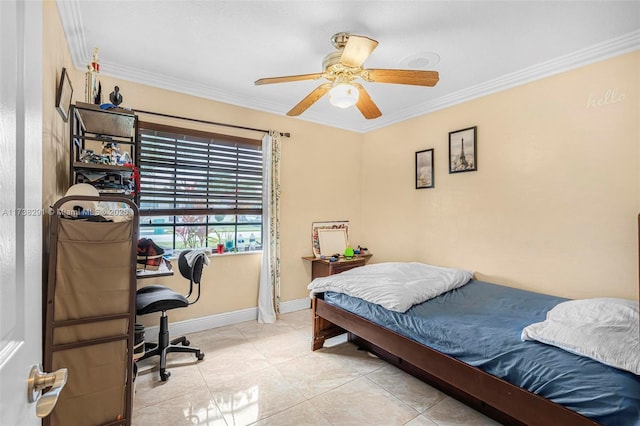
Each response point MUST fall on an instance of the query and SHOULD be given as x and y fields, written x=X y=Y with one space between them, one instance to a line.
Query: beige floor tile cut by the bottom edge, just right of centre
x=362 y=402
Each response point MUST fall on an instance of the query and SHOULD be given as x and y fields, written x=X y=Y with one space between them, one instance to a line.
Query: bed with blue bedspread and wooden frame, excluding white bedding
x=515 y=382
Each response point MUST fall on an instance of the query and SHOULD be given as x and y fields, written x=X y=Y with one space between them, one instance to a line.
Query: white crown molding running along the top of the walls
x=72 y=23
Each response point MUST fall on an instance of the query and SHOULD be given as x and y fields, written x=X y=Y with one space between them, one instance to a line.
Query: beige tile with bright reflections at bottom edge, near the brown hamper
x=195 y=407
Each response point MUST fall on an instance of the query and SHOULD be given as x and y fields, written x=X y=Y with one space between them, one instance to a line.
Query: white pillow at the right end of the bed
x=604 y=329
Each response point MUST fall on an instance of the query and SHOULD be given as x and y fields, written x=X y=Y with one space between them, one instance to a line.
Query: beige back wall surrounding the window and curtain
x=231 y=281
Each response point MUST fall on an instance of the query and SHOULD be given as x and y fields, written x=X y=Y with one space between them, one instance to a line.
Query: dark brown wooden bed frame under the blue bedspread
x=498 y=399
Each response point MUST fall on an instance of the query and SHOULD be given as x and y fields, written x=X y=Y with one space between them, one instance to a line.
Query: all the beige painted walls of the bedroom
x=552 y=207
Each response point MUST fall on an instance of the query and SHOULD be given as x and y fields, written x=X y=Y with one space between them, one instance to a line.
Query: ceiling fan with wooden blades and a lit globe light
x=342 y=68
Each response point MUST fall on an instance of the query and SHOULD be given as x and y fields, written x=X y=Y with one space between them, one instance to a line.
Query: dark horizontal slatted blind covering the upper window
x=185 y=171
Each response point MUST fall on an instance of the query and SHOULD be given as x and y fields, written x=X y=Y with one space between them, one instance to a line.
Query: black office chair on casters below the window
x=158 y=298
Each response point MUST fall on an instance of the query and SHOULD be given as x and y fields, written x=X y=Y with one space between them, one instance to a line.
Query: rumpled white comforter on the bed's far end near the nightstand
x=396 y=286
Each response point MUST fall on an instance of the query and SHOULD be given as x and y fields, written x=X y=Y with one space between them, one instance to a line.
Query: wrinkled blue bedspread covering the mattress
x=480 y=324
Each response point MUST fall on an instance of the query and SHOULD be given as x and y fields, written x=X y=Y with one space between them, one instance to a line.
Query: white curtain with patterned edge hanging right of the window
x=269 y=289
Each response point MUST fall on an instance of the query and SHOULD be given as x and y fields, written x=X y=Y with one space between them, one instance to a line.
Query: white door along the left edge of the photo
x=20 y=205
